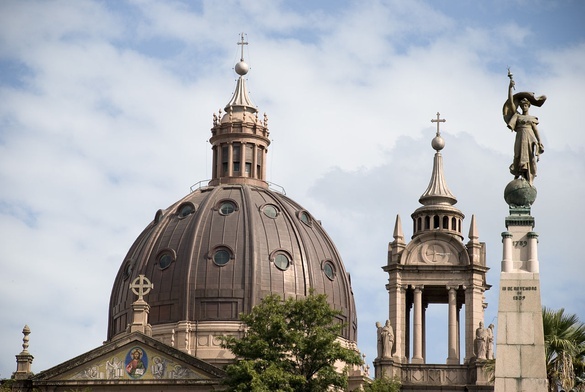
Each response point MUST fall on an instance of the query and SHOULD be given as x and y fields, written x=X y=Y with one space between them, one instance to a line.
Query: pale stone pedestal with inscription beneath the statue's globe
x=520 y=354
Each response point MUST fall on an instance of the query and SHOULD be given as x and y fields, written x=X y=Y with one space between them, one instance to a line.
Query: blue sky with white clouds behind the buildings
x=106 y=108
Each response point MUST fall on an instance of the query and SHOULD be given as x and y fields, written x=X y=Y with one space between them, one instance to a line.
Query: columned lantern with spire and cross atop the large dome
x=239 y=138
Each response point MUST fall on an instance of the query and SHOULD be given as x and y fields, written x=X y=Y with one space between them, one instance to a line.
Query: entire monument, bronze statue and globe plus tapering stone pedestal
x=520 y=356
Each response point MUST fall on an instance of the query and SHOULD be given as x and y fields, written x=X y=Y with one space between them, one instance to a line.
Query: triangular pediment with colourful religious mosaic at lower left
x=135 y=357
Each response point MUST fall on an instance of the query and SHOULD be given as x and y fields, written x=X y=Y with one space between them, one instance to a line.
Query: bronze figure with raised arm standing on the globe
x=528 y=146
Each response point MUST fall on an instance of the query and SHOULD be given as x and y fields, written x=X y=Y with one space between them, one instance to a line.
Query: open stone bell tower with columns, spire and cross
x=436 y=267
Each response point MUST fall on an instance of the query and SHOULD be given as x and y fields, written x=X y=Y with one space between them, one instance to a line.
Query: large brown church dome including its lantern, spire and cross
x=219 y=250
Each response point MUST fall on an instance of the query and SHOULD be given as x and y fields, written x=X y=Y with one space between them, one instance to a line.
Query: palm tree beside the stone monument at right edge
x=564 y=340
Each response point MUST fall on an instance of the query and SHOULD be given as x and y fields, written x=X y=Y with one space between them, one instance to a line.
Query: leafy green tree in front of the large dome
x=289 y=346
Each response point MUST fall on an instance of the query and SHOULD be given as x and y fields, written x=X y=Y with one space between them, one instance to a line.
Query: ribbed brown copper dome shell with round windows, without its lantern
x=178 y=251
